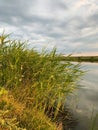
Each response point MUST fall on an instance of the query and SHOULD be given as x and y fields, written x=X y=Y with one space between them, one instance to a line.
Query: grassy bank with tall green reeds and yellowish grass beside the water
x=32 y=85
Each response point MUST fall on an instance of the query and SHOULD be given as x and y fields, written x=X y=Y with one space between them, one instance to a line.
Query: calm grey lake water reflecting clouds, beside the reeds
x=85 y=101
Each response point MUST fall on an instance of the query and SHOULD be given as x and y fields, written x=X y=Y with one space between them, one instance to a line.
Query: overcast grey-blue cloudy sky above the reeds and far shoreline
x=69 y=25
